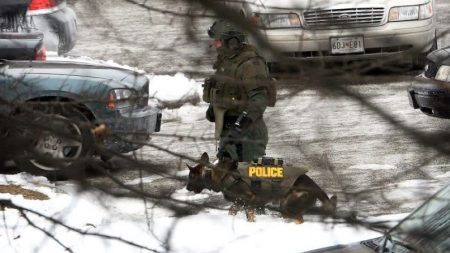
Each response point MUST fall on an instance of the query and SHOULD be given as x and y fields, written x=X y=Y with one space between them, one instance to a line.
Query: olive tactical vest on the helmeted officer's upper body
x=226 y=90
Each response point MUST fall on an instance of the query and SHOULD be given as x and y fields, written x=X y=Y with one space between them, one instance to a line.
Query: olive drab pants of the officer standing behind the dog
x=252 y=145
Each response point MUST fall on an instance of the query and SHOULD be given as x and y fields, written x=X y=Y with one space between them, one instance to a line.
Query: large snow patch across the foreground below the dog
x=208 y=231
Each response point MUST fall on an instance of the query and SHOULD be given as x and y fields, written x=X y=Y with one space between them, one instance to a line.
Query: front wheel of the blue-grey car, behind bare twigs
x=60 y=143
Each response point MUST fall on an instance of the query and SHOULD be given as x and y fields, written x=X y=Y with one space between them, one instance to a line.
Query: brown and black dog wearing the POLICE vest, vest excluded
x=298 y=197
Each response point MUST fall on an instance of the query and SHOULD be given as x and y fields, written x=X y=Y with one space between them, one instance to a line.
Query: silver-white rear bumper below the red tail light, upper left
x=59 y=28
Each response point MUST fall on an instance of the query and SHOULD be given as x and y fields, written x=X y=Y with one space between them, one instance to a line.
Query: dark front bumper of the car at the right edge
x=432 y=99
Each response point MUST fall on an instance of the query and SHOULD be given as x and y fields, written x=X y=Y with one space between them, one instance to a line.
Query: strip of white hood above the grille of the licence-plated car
x=318 y=4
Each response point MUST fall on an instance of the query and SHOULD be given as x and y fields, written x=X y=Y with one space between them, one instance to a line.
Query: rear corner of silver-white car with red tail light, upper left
x=57 y=21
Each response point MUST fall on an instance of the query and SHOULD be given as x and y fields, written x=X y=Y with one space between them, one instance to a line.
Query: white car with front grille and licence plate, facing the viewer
x=343 y=30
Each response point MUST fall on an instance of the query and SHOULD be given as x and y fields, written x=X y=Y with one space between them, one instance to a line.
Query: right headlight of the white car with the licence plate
x=412 y=12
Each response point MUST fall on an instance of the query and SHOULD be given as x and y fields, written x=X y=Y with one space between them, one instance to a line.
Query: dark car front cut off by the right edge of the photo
x=432 y=94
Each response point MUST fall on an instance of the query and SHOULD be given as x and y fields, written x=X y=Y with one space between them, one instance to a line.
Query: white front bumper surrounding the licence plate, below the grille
x=393 y=38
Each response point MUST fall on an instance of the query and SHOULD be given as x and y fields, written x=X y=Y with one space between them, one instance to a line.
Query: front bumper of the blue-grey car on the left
x=130 y=129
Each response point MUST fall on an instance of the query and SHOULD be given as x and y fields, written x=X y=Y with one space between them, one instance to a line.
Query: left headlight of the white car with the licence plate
x=276 y=20
